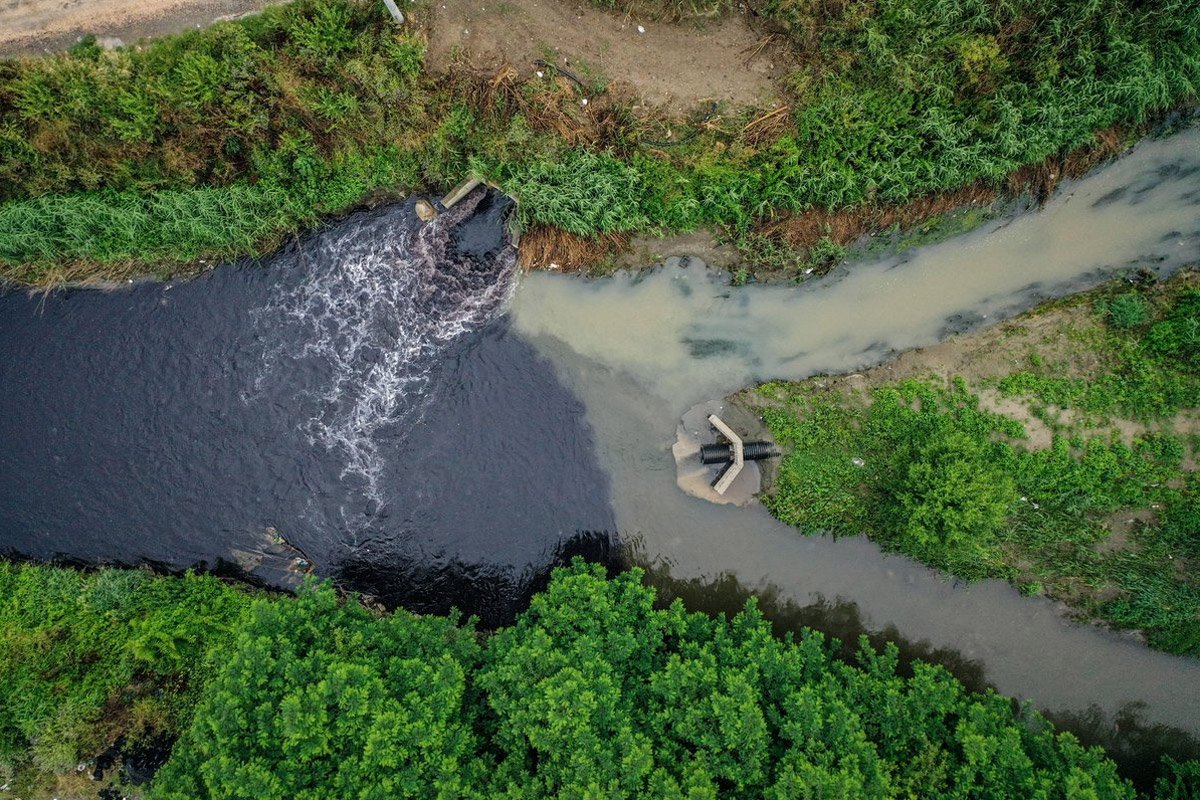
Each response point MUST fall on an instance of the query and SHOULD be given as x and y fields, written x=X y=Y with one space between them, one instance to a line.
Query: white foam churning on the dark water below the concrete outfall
x=386 y=297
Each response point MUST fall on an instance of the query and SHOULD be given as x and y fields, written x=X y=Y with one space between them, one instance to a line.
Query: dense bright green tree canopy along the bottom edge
x=595 y=693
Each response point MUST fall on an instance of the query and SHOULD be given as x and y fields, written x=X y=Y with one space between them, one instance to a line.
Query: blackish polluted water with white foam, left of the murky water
x=358 y=396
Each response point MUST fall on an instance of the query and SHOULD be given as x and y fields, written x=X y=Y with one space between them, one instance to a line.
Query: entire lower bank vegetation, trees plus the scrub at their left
x=593 y=693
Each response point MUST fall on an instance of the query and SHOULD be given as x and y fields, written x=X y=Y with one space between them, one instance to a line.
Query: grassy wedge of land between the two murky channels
x=1064 y=464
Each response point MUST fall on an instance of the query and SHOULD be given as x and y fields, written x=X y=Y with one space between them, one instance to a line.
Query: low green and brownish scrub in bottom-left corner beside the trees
x=89 y=658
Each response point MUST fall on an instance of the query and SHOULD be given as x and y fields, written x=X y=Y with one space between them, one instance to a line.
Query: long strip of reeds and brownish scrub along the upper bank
x=220 y=142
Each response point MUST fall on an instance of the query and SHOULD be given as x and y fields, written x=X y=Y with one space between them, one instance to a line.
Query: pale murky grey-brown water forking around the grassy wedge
x=640 y=350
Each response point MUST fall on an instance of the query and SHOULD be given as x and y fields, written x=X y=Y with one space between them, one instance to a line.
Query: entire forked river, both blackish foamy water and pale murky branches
x=419 y=424
